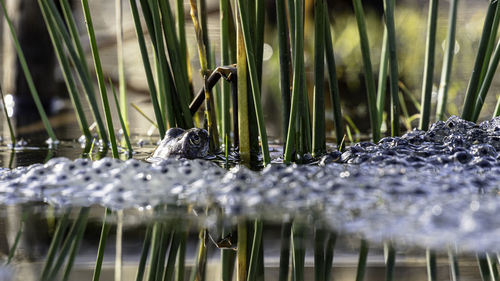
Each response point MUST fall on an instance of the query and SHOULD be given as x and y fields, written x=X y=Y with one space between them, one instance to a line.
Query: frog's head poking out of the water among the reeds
x=190 y=144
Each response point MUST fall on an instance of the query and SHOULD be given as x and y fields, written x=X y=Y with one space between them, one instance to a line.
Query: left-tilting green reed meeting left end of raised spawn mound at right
x=369 y=80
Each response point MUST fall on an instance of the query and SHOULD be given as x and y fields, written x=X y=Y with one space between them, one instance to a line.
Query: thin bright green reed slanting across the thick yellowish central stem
x=252 y=68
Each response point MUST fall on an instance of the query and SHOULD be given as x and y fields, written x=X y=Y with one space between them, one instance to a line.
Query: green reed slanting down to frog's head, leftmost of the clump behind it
x=147 y=68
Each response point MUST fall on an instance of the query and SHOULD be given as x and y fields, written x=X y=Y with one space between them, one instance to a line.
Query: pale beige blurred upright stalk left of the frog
x=120 y=62
